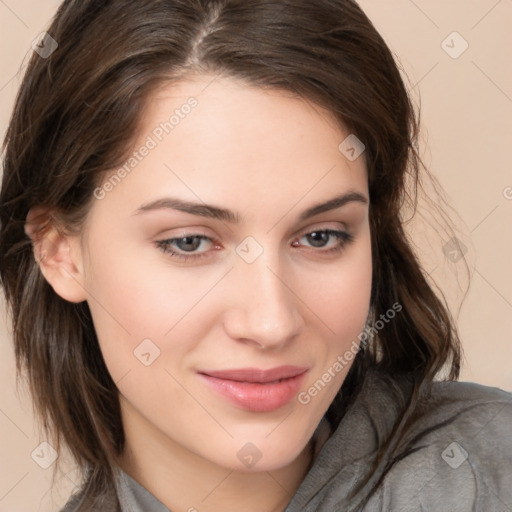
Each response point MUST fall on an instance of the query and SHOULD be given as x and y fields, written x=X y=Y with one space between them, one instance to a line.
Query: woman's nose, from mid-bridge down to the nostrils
x=264 y=309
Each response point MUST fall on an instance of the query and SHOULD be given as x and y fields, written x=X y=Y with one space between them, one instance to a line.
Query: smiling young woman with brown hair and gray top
x=211 y=288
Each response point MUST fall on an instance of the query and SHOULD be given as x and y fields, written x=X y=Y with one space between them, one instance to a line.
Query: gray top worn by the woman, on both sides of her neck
x=452 y=452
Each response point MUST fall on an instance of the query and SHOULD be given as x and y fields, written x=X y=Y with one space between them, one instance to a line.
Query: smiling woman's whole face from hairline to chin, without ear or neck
x=263 y=278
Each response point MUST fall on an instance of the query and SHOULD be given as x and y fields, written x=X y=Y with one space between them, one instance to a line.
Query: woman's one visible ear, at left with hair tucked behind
x=59 y=255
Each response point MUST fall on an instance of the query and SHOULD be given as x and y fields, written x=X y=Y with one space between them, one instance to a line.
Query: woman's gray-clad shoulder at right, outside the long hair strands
x=456 y=453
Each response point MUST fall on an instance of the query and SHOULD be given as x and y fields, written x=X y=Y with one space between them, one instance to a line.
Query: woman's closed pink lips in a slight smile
x=257 y=390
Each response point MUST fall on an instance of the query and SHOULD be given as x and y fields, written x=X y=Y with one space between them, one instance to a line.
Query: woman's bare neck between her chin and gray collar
x=182 y=480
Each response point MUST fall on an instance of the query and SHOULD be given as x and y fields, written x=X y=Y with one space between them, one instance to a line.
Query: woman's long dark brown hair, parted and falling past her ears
x=75 y=117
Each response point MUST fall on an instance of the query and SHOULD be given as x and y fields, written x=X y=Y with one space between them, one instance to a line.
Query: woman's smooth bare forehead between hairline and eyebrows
x=222 y=141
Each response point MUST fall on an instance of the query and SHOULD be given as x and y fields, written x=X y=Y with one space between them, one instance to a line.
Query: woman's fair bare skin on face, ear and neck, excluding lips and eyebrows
x=268 y=156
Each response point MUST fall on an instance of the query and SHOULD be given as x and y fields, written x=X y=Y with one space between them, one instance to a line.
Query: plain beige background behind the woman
x=467 y=117
